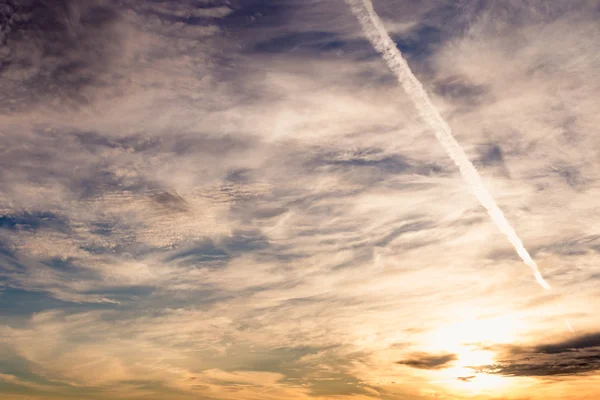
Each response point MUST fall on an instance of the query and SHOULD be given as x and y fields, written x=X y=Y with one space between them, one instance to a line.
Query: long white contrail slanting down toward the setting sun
x=381 y=41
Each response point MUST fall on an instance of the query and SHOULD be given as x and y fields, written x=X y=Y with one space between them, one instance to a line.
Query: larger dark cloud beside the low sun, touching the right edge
x=574 y=356
